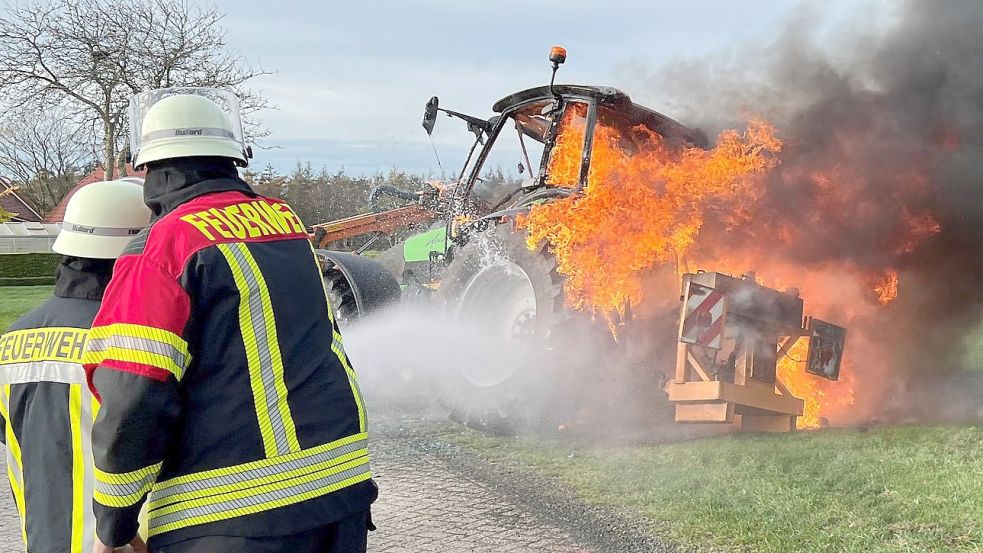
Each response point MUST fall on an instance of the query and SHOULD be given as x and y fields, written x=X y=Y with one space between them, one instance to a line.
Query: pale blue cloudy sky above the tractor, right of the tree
x=351 y=78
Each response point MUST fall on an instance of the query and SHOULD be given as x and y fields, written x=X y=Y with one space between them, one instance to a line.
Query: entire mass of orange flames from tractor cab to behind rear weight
x=649 y=204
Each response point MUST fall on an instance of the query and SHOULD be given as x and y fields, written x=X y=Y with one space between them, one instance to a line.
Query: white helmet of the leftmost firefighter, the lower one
x=101 y=218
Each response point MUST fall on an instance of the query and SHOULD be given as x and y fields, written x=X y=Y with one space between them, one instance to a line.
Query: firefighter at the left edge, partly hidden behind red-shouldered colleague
x=47 y=410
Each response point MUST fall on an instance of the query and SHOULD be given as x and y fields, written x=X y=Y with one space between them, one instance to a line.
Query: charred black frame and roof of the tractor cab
x=539 y=116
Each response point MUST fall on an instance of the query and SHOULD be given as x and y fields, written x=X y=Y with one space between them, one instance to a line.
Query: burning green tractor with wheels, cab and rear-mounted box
x=714 y=358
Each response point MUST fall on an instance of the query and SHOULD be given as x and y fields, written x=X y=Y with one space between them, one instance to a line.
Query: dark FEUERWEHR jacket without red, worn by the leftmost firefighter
x=47 y=411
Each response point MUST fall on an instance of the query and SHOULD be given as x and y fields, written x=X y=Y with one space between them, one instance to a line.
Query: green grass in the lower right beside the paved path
x=887 y=489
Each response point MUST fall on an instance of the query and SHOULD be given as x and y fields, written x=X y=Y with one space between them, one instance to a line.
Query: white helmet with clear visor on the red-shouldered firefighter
x=185 y=122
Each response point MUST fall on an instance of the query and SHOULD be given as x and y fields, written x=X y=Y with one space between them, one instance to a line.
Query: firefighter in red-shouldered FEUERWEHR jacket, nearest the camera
x=228 y=403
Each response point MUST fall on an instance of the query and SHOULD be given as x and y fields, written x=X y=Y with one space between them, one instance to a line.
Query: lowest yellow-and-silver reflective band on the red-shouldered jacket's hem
x=237 y=504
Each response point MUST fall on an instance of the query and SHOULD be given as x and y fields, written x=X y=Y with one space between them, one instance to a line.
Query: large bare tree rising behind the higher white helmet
x=91 y=55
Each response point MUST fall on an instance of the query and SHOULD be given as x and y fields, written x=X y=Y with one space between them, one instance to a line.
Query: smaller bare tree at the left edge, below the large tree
x=46 y=152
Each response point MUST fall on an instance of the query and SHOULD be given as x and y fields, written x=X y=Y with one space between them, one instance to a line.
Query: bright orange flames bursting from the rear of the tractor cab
x=645 y=205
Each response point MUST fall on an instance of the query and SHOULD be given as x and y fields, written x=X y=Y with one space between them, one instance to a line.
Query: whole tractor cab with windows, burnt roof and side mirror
x=542 y=138
